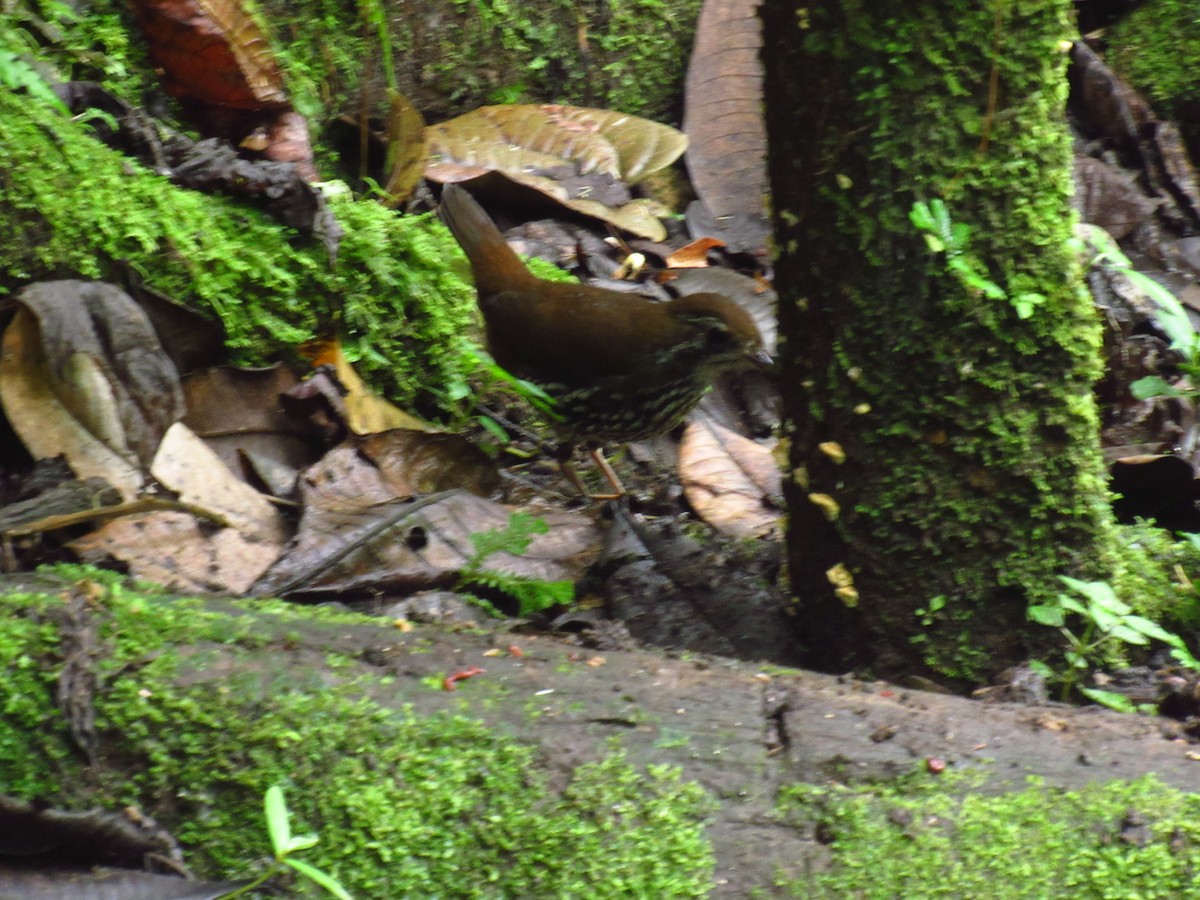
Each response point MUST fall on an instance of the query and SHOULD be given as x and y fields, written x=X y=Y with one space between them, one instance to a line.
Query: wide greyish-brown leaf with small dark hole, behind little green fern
x=356 y=536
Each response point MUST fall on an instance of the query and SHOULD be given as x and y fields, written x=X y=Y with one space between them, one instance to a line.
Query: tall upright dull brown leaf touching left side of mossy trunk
x=723 y=110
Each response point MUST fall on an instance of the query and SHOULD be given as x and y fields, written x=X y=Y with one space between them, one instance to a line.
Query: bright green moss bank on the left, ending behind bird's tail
x=87 y=212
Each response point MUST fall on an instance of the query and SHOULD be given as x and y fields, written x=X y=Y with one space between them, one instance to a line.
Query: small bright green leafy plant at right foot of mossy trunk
x=1108 y=626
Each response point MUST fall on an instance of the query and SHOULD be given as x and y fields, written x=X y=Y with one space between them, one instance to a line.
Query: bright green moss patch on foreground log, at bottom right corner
x=917 y=839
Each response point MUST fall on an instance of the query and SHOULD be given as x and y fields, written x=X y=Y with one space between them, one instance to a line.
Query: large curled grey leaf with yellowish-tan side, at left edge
x=82 y=374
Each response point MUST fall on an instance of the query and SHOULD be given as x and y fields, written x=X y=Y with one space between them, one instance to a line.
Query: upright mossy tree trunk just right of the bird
x=973 y=475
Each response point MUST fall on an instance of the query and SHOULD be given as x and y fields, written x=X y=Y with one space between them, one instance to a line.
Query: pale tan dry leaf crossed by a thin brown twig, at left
x=178 y=550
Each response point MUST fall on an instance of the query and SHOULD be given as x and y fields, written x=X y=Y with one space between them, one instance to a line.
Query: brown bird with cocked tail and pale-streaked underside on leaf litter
x=619 y=367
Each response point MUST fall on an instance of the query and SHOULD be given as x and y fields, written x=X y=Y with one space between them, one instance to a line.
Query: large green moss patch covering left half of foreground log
x=405 y=805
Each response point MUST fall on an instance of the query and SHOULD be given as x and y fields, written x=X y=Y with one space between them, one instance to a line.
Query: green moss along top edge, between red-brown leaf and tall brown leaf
x=452 y=57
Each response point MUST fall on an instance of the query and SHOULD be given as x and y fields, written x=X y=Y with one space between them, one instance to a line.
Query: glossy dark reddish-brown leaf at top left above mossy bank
x=213 y=52
